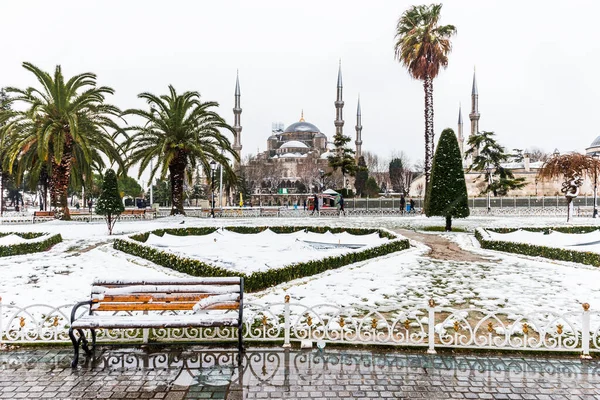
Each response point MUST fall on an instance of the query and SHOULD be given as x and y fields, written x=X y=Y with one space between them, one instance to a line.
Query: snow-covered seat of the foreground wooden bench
x=154 y=321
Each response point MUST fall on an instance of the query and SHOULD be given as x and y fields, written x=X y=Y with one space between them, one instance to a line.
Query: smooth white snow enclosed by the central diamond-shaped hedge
x=249 y=253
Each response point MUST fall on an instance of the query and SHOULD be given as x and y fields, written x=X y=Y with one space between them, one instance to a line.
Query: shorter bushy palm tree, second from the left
x=181 y=132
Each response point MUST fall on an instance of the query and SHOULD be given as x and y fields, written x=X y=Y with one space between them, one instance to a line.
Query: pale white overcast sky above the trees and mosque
x=536 y=61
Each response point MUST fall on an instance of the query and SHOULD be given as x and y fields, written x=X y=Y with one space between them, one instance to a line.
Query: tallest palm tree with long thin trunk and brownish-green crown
x=422 y=46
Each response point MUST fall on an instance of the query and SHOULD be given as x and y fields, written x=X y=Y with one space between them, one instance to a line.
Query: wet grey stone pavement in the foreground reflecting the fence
x=201 y=373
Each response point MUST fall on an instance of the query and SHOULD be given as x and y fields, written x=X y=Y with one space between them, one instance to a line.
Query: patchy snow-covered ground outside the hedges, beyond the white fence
x=64 y=274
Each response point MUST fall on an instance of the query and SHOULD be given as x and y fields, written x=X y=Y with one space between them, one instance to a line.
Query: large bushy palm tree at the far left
x=67 y=124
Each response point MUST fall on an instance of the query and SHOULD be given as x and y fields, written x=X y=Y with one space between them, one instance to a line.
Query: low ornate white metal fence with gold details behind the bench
x=429 y=327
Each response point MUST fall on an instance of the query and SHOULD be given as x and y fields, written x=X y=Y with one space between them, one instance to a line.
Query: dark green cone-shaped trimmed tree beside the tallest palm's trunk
x=447 y=192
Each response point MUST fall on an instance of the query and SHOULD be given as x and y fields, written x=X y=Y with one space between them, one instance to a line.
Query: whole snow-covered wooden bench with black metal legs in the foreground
x=128 y=304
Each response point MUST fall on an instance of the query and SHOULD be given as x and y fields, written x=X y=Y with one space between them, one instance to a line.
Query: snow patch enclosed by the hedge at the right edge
x=571 y=241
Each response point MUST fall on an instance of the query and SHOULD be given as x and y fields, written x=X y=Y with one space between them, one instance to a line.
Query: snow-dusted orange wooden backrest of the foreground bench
x=182 y=294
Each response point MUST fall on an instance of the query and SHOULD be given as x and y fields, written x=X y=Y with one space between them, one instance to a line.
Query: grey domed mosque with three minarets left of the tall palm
x=296 y=159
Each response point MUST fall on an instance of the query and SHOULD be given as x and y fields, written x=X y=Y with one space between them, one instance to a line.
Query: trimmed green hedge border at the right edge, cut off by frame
x=583 y=257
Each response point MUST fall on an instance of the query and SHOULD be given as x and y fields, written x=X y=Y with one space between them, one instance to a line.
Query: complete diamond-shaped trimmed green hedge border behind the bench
x=262 y=279
